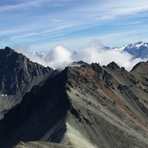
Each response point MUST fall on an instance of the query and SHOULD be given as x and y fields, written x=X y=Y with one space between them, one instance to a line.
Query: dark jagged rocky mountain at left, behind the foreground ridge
x=17 y=76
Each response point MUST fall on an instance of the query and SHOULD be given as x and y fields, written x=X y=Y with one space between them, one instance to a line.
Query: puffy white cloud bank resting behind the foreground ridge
x=60 y=56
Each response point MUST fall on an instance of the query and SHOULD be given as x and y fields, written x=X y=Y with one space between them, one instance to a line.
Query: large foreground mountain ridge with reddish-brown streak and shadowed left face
x=82 y=107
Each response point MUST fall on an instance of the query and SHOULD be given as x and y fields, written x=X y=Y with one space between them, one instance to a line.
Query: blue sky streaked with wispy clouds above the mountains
x=43 y=24
